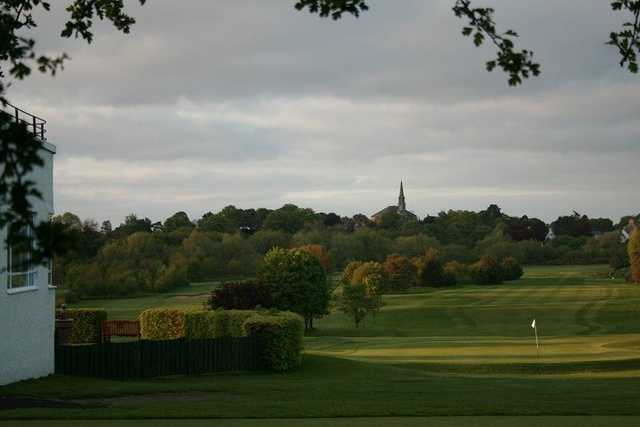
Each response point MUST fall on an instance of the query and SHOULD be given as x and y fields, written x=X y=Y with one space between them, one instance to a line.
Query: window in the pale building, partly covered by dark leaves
x=21 y=271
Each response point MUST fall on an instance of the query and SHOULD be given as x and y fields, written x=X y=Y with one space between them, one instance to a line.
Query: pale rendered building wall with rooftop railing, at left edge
x=27 y=297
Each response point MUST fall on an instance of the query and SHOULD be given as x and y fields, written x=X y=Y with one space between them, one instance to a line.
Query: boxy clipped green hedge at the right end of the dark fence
x=281 y=336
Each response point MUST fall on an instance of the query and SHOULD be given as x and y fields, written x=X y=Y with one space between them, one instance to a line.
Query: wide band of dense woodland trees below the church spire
x=140 y=256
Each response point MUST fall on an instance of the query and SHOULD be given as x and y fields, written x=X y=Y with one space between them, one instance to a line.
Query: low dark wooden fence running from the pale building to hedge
x=145 y=359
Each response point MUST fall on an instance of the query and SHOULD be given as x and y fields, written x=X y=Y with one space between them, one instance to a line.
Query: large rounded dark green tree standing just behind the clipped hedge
x=297 y=282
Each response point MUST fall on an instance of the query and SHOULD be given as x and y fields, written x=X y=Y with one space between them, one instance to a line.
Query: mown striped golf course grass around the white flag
x=463 y=351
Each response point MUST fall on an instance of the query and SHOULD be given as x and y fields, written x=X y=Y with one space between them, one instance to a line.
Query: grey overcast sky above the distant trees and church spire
x=254 y=104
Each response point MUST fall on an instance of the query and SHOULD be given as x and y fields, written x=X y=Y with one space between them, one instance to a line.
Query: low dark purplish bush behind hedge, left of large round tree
x=241 y=296
